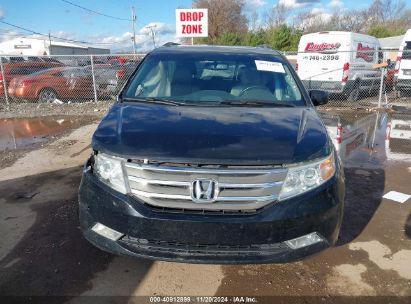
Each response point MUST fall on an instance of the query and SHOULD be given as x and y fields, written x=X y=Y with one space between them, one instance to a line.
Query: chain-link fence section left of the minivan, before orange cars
x=58 y=79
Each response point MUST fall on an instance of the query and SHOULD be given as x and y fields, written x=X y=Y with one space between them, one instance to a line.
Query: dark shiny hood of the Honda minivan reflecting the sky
x=212 y=135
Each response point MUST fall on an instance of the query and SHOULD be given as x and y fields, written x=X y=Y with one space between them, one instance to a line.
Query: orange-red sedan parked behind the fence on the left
x=56 y=83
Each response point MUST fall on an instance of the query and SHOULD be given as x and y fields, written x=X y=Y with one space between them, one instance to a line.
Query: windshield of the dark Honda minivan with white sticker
x=215 y=78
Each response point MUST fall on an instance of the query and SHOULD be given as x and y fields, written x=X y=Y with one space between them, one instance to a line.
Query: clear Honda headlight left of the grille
x=110 y=171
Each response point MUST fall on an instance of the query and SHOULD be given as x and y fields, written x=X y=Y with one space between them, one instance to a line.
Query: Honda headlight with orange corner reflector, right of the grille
x=307 y=176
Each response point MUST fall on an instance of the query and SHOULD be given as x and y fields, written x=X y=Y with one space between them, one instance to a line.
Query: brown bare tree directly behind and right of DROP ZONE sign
x=225 y=16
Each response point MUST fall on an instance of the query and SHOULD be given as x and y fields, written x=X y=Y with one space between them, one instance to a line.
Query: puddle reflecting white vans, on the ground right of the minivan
x=370 y=140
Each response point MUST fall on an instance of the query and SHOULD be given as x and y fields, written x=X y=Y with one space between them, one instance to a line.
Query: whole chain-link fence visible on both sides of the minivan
x=366 y=78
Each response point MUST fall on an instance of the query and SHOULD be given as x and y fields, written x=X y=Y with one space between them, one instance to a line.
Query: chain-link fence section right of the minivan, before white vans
x=359 y=77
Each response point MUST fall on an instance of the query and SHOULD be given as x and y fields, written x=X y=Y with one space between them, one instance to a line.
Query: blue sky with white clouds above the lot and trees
x=65 y=20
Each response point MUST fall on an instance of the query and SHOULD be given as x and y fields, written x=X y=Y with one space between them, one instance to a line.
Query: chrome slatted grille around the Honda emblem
x=239 y=188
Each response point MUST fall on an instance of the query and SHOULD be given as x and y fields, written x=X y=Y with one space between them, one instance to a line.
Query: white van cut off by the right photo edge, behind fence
x=403 y=65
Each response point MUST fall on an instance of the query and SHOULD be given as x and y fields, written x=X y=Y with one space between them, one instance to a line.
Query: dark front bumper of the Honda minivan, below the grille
x=195 y=238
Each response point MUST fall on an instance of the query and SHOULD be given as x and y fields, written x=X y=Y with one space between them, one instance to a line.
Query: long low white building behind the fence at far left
x=41 y=46
